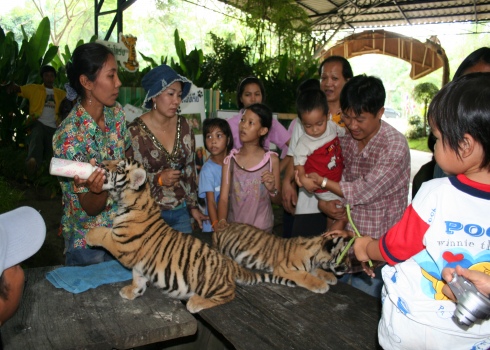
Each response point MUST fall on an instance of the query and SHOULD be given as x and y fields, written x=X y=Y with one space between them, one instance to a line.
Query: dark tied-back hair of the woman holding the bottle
x=87 y=59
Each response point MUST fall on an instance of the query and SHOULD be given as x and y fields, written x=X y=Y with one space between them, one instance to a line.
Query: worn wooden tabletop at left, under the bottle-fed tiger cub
x=51 y=318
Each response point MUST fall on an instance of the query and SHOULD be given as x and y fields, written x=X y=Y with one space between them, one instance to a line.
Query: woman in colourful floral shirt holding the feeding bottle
x=95 y=130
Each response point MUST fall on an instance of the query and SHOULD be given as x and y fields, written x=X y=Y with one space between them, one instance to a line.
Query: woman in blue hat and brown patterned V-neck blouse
x=164 y=143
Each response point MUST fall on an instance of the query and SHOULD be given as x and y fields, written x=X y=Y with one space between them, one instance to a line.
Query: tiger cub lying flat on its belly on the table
x=300 y=259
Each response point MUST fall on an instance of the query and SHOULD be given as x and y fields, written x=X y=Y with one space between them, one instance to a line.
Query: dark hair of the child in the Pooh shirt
x=463 y=107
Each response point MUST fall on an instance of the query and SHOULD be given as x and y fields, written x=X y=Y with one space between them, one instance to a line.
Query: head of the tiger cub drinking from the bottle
x=123 y=174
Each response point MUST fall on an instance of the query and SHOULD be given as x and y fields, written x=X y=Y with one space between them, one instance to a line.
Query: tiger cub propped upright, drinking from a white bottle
x=183 y=266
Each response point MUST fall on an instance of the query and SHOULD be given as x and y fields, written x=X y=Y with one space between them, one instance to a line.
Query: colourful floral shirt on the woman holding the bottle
x=79 y=138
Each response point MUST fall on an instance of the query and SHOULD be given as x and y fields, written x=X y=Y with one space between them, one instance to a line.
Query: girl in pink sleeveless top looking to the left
x=250 y=178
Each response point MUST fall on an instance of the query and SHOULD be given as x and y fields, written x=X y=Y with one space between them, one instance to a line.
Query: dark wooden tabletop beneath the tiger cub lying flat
x=277 y=317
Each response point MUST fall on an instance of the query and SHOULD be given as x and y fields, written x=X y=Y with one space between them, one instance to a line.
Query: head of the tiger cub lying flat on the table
x=331 y=249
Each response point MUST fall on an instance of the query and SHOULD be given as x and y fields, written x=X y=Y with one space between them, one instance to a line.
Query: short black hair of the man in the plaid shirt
x=363 y=94
